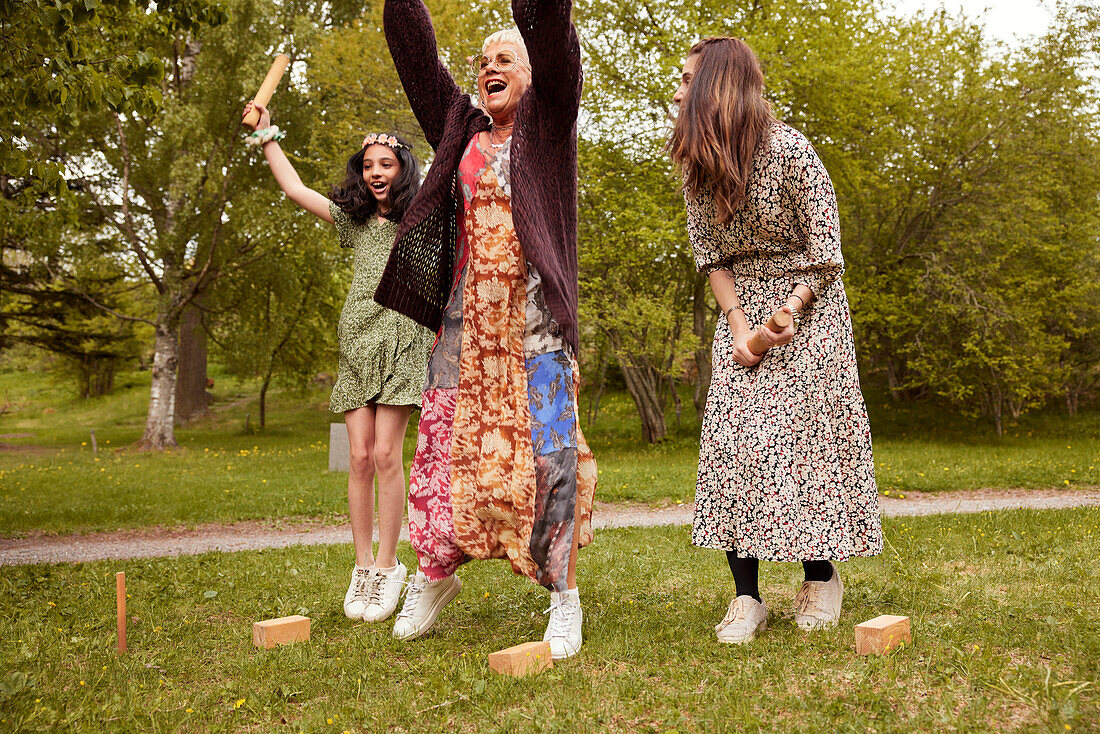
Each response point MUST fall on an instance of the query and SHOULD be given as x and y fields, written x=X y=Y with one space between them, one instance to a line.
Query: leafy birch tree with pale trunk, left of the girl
x=170 y=183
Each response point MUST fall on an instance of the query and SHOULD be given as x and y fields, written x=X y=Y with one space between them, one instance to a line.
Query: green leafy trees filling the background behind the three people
x=967 y=173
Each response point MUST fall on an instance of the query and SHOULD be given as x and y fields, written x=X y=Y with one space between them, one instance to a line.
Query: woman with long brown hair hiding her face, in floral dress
x=786 y=469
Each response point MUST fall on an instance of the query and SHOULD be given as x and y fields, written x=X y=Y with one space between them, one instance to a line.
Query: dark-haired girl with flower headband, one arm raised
x=383 y=355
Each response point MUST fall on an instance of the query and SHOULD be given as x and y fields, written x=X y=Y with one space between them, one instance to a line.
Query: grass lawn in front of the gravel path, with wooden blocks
x=1006 y=638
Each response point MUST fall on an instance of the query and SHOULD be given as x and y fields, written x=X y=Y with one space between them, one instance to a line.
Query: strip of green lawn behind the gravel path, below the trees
x=51 y=481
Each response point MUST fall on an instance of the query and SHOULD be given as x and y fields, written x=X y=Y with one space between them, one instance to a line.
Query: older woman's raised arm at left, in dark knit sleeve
x=431 y=89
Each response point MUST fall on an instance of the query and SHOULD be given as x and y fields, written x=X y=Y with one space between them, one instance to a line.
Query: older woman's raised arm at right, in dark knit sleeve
x=556 y=60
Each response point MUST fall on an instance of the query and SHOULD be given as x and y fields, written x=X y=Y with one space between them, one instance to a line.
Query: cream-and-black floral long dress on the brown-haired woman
x=786 y=470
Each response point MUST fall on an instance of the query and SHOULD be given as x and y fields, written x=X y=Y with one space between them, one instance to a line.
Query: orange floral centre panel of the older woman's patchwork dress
x=493 y=478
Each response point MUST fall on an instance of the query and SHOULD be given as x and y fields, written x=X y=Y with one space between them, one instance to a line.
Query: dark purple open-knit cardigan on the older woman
x=419 y=277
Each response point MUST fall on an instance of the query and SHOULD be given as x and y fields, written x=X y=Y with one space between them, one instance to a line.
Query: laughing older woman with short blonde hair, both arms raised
x=487 y=258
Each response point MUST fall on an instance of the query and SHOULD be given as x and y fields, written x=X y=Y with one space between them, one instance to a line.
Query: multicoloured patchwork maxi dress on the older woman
x=501 y=467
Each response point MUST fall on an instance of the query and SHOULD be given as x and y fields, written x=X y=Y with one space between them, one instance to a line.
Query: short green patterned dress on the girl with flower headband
x=383 y=355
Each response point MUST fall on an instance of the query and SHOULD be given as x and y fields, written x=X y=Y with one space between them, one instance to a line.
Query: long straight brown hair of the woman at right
x=722 y=122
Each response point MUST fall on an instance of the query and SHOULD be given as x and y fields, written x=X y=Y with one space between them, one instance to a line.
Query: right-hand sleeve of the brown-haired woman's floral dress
x=816 y=215
